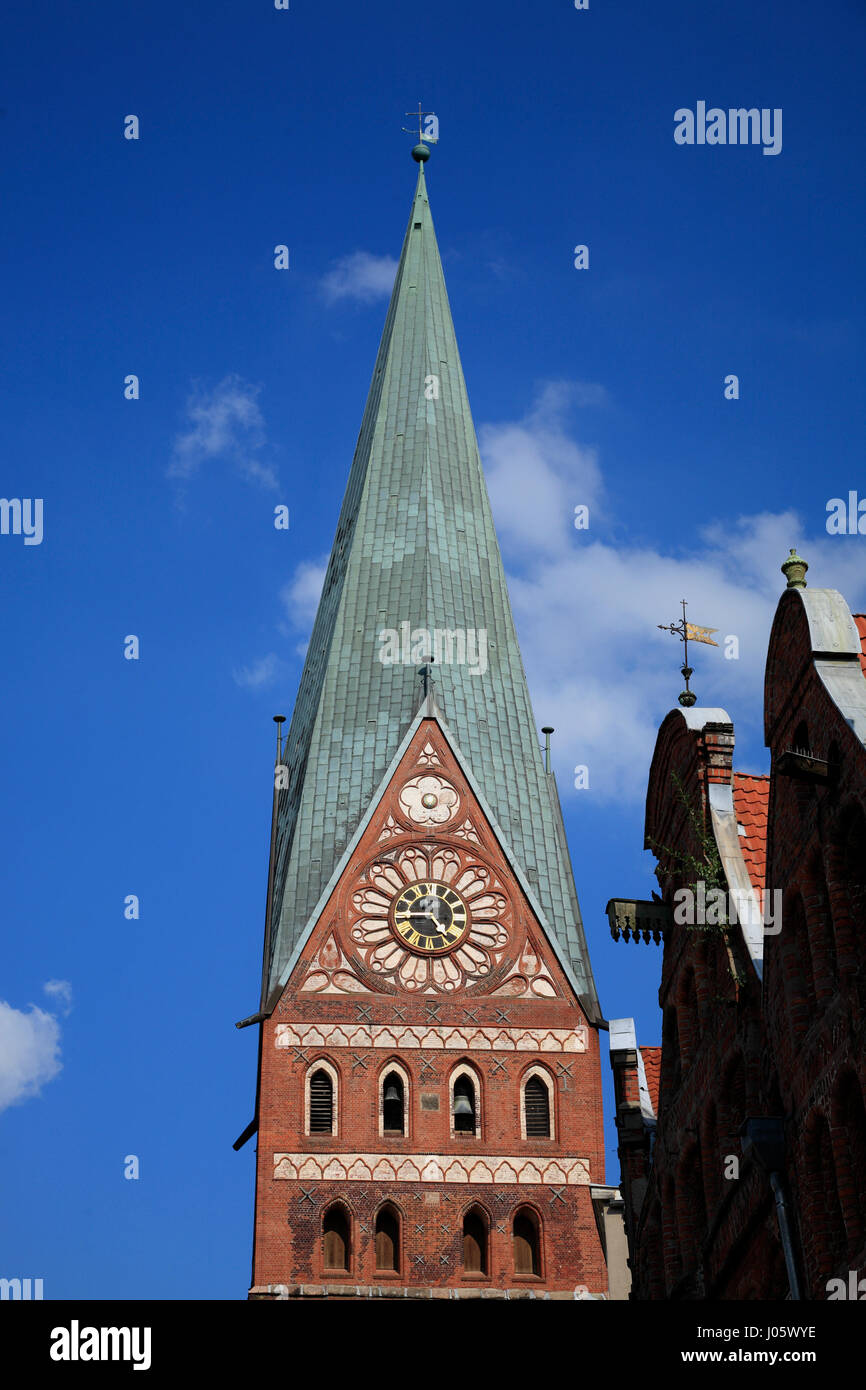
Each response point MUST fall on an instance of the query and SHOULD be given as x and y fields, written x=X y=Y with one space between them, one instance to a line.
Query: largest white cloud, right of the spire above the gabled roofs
x=587 y=611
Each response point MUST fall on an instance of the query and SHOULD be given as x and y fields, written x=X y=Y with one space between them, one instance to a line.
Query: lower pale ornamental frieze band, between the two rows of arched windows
x=433 y=1168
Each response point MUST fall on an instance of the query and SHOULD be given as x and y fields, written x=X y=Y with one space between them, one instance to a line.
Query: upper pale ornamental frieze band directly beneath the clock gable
x=427 y=1036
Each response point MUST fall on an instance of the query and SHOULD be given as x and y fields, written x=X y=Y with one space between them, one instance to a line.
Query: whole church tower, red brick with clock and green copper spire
x=429 y=1107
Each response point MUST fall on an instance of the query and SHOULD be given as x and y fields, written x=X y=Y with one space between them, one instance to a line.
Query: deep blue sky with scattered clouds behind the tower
x=601 y=387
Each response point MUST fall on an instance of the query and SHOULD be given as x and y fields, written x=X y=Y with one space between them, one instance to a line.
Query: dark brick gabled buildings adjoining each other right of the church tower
x=758 y=1025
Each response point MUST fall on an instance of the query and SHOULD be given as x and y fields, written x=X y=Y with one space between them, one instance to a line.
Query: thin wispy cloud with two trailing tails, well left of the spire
x=224 y=423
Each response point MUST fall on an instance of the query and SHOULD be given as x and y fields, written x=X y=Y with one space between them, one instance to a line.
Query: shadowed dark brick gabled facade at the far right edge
x=815 y=981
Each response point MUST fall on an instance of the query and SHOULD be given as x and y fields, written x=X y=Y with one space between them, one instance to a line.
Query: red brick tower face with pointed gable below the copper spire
x=497 y=1010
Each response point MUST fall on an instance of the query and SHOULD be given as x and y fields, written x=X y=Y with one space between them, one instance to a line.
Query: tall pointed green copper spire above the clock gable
x=416 y=551
